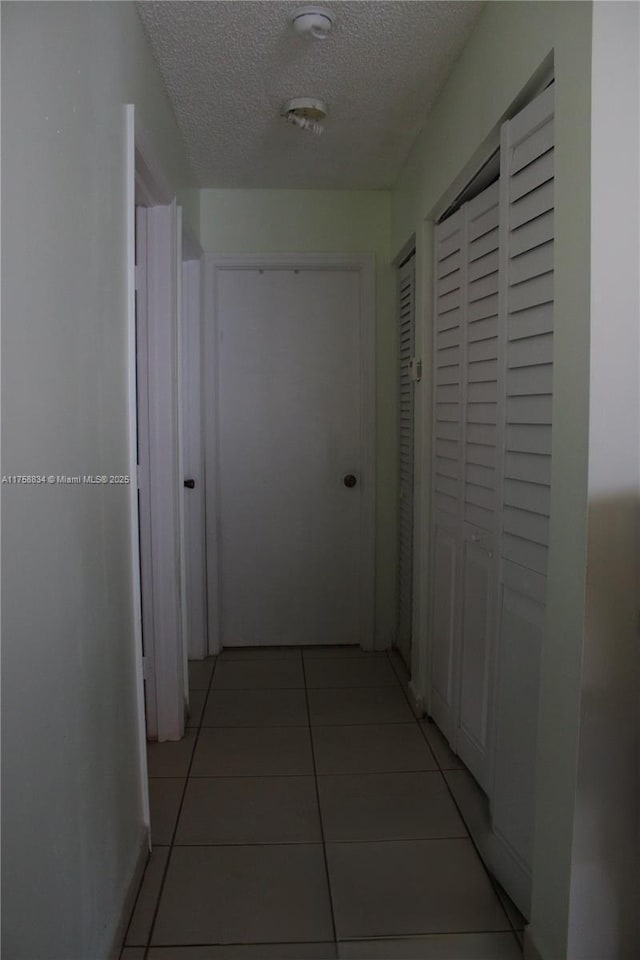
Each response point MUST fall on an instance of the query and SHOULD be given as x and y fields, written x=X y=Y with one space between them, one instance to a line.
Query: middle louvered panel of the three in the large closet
x=482 y=386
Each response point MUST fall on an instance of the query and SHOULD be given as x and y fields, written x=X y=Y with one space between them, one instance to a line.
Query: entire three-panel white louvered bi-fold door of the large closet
x=492 y=375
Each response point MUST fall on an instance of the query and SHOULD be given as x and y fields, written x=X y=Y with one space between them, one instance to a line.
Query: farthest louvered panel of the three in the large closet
x=447 y=478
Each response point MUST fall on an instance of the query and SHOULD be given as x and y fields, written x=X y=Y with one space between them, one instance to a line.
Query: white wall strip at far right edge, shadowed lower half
x=605 y=883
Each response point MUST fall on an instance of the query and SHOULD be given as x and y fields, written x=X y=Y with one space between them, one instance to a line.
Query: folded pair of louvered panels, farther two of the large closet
x=467 y=384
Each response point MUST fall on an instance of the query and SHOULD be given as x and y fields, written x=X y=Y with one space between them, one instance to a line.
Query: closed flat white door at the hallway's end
x=294 y=486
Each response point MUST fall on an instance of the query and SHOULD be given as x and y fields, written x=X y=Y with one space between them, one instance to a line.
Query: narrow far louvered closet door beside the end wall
x=406 y=327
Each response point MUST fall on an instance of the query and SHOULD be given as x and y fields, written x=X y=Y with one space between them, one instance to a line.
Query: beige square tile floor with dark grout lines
x=306 y=814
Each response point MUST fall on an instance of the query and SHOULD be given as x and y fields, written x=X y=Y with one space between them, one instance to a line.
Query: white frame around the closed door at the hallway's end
x=364 y=265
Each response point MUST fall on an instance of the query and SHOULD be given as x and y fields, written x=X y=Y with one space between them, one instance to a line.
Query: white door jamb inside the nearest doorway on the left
x=160 y=480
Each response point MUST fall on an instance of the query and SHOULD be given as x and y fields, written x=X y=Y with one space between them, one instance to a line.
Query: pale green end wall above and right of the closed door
x=330 y=221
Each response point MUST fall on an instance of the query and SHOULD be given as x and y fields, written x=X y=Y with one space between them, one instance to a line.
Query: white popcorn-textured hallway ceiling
x=229 y=64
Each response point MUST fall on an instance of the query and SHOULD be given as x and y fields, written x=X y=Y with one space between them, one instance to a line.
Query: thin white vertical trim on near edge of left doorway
x=133 y=459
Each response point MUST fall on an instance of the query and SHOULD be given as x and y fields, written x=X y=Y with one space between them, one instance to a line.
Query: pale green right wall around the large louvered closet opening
x=508 y=46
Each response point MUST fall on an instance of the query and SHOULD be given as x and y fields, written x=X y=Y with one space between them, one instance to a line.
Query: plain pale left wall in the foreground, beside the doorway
x=71 y=806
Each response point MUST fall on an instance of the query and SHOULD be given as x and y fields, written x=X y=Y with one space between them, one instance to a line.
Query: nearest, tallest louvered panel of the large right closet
x=527 y=244
